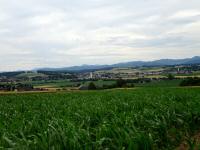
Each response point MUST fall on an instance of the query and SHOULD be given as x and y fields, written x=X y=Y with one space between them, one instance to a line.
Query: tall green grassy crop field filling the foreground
x=141 y=118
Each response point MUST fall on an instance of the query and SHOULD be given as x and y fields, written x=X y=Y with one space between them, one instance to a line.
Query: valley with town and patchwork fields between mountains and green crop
x=43 y=80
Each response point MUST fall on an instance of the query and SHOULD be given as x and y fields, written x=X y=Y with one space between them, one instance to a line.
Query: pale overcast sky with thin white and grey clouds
x=61 y=33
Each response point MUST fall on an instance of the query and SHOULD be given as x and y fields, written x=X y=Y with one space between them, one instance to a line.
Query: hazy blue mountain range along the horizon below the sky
x=161 y=62
